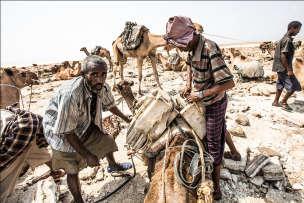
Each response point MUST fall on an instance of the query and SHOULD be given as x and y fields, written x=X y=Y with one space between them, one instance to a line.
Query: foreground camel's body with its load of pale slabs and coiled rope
x=168 y=132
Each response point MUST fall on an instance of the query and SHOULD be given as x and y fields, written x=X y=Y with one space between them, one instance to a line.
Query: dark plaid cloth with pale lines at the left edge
x=18 y=134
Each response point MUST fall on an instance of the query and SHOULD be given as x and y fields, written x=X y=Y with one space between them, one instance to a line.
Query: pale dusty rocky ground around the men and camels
x=273 y=128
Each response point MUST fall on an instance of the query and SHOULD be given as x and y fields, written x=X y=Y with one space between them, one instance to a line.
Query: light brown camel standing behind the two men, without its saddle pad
x=146 y=49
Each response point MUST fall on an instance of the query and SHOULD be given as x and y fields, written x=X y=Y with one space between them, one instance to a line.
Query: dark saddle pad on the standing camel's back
x=132 y=36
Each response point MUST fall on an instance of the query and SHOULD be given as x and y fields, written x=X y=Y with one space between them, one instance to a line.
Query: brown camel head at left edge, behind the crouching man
x=18 y=77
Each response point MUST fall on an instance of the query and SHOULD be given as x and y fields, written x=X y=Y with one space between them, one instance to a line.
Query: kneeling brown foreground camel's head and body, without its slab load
x=174 y=192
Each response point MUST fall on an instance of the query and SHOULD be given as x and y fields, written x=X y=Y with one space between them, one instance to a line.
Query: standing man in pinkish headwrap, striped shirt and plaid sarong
x=208 y=80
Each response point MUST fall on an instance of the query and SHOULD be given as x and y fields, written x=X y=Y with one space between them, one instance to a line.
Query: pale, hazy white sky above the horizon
x=50 y=32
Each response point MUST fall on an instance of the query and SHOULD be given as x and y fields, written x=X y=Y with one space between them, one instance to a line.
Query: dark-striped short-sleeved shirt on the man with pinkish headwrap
x=208 y=69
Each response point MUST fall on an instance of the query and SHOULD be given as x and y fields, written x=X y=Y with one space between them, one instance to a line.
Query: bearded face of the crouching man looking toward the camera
x=97 y=78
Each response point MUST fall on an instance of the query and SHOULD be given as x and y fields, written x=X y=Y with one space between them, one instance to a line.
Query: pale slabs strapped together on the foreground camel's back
x=159 y=119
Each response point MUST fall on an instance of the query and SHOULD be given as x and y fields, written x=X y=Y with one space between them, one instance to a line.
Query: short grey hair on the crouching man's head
x=92 y=62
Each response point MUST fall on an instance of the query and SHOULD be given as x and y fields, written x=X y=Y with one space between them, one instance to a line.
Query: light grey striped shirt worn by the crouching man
x=69 y=111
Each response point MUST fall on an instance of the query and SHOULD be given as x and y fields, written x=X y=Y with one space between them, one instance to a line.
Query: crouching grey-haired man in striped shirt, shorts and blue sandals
x=73 y=124
